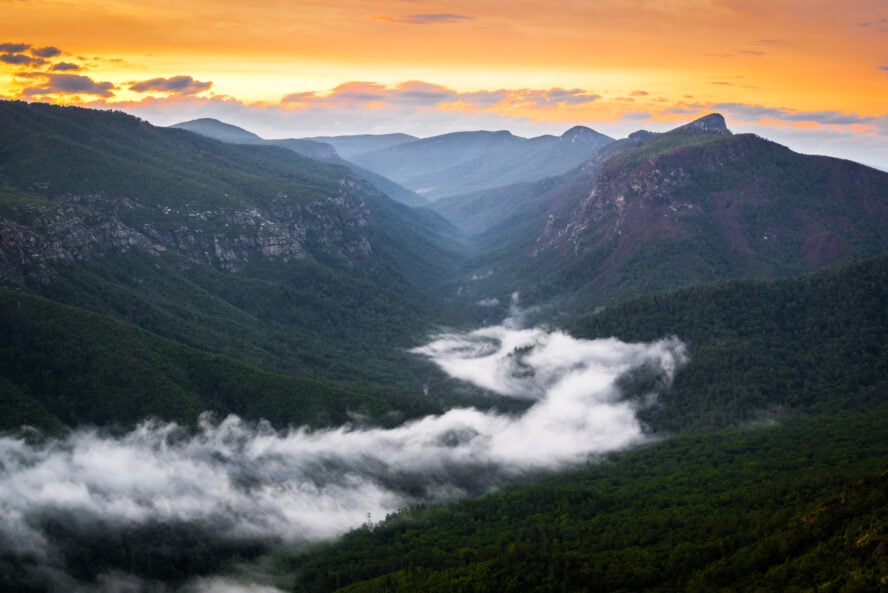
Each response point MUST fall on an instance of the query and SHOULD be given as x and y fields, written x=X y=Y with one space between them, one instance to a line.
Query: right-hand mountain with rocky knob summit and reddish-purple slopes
x=659 y=211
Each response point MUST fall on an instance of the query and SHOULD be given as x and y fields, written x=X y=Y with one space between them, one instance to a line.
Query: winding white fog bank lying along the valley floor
x=241 y=480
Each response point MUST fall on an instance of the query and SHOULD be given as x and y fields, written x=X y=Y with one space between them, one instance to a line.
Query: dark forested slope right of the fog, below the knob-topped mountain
x=761 y=348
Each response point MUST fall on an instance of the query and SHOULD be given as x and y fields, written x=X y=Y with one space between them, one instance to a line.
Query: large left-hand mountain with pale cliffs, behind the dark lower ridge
x=251 y=252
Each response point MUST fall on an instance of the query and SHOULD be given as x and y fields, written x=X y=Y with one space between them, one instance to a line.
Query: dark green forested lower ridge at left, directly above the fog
x=62 y=365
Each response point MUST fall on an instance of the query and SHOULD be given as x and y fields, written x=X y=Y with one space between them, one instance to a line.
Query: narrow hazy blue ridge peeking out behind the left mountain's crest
x=212 y=128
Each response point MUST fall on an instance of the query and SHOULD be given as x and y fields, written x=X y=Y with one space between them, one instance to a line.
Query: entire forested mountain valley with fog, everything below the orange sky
x=466 y=362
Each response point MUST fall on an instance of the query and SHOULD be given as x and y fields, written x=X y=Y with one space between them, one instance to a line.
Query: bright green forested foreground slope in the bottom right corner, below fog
x=795 y=507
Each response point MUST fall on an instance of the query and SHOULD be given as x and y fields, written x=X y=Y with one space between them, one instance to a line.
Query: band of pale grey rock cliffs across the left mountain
x=33 y=237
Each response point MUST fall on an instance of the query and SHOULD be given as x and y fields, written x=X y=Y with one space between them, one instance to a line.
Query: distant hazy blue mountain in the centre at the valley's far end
x=464 y=162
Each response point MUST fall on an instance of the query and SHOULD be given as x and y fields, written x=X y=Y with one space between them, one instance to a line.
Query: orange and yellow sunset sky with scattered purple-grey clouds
x=811 y=74
